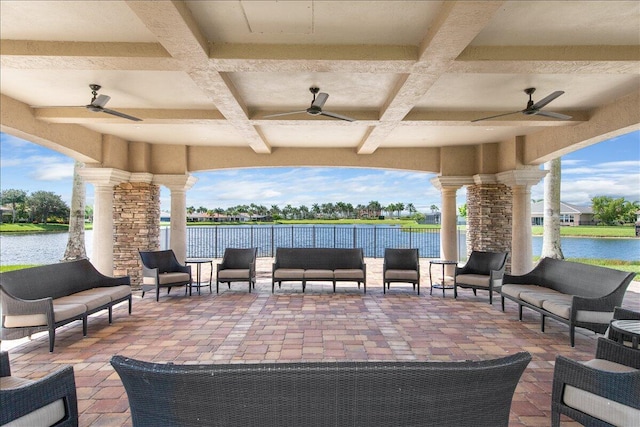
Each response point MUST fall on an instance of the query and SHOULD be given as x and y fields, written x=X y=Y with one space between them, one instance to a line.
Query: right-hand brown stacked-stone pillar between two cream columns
x=488 y=216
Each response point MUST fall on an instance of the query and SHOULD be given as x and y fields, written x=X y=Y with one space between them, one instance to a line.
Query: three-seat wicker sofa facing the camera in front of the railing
x=319 y=264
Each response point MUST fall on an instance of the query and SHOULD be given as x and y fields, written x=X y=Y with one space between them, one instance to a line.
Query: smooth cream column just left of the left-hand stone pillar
x=103 y=180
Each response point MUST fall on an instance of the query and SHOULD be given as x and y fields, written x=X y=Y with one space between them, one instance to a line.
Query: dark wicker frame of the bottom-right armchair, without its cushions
x=619 y=387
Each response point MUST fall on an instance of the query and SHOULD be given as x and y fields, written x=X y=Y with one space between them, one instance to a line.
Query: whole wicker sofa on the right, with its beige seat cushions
x=572 y=293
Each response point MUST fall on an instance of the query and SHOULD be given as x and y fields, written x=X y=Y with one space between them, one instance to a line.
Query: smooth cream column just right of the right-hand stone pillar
x=520 y=182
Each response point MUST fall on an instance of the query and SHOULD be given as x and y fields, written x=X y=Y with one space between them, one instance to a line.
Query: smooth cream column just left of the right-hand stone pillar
x=448 y=187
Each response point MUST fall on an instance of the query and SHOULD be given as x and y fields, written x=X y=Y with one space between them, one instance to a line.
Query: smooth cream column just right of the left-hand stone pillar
x=178 y=185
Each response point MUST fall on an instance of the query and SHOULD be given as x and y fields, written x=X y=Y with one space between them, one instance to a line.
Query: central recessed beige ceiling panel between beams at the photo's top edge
x=333 y=22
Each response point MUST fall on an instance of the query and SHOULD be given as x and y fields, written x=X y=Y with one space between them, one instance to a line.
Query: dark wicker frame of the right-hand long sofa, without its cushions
x=593 y=288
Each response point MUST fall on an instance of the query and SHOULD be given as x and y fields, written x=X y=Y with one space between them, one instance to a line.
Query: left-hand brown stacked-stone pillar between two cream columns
x=137 y=224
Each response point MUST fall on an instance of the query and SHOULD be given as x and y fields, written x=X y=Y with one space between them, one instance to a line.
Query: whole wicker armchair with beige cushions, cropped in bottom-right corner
x=604 y=391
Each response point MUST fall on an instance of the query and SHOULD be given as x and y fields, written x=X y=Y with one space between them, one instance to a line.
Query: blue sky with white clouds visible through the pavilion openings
x=610 y=168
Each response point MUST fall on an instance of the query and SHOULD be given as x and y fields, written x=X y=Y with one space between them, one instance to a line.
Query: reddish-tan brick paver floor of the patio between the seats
x=235 y=326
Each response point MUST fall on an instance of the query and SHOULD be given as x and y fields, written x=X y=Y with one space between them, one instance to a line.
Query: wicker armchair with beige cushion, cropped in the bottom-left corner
x=50 y=400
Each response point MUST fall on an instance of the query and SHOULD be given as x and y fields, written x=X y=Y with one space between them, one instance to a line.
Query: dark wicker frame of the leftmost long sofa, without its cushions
x=32 y=291
